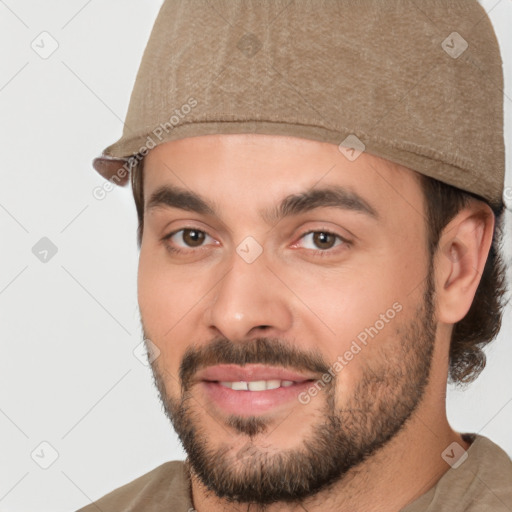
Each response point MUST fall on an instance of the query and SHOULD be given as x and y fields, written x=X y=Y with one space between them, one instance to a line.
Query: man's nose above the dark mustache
x=249 y=301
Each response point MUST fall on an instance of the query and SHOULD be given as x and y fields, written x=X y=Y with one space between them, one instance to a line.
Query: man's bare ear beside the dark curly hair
x=463 y=249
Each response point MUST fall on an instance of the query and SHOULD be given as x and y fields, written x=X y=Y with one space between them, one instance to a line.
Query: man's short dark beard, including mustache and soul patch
x=341 y=437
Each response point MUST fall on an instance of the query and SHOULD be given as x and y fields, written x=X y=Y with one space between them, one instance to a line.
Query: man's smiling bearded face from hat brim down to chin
x=294 y=340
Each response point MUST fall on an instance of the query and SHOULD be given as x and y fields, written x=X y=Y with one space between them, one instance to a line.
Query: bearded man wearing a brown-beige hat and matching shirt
x=319 y=190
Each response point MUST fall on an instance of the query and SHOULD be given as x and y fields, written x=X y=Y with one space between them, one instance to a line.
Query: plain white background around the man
x=68 y=327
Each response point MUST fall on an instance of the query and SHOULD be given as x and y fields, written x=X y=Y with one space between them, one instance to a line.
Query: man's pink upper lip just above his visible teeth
x=250 y=372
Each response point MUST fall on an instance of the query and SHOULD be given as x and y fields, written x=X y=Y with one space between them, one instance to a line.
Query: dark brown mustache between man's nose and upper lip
x=267 y=351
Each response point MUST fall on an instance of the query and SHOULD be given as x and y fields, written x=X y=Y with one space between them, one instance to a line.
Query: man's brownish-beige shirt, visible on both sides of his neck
x=482 y=483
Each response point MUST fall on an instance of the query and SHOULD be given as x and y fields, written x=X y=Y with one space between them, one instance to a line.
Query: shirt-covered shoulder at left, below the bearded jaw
x=154 y=491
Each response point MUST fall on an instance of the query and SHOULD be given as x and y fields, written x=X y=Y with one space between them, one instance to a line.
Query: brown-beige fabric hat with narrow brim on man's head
x=418 y=83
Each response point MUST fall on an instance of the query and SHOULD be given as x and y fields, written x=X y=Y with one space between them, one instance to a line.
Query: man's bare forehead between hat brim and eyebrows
x=257 y=169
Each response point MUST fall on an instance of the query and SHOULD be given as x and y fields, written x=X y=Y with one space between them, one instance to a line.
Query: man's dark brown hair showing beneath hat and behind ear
x=482 y=323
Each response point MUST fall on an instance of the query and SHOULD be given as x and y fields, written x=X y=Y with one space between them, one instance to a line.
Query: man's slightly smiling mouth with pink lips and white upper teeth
x=252 y=389
